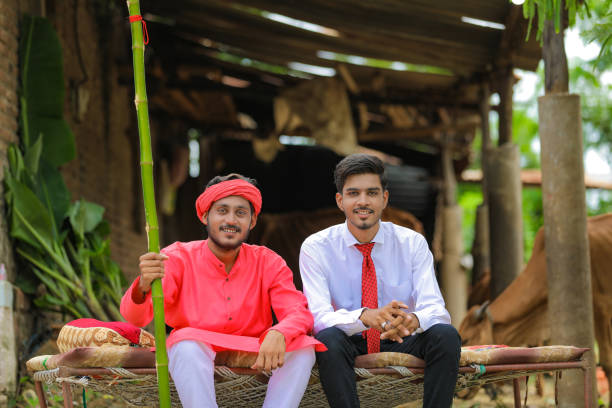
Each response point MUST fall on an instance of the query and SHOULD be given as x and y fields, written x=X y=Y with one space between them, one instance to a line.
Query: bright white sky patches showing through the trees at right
x=595 y=164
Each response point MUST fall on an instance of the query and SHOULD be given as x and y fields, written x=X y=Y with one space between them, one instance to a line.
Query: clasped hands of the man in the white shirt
x=391 y=321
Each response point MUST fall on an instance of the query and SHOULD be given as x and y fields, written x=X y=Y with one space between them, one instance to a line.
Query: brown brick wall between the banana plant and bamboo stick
x=105 y=170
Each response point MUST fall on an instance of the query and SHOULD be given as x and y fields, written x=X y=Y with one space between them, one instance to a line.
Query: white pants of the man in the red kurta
x=192 y=363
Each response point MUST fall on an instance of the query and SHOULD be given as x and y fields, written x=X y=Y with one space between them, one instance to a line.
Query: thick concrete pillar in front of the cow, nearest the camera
x=570 y=303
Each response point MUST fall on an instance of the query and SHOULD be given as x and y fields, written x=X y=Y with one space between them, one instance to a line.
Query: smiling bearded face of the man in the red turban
x=228 y=223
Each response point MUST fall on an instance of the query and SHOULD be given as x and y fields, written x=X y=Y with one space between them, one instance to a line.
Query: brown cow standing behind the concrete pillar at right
x=518 y=316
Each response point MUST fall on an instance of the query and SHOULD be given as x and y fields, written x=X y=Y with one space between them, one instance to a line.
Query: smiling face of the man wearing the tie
x=363 y=200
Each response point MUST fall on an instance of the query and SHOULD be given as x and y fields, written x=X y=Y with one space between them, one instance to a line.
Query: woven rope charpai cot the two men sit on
x=383 y=379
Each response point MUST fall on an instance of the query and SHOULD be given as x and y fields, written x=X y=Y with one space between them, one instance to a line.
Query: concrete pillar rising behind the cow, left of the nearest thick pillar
x=505 y=216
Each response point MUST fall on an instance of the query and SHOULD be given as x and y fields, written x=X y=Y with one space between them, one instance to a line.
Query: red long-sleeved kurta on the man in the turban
x=228 y=311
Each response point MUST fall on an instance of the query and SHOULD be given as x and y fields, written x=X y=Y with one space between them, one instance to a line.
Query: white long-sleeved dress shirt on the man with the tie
x=330 y=266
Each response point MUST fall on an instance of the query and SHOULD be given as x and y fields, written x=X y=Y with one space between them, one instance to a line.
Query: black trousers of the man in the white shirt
x=439 y=346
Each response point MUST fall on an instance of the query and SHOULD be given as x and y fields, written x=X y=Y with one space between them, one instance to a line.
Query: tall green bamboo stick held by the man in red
x=146 y=167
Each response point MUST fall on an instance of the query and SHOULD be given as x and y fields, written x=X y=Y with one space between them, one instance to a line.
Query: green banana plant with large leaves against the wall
x=63 y=246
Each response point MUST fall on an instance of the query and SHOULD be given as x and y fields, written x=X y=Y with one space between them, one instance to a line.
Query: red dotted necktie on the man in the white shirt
x=369 y=293
